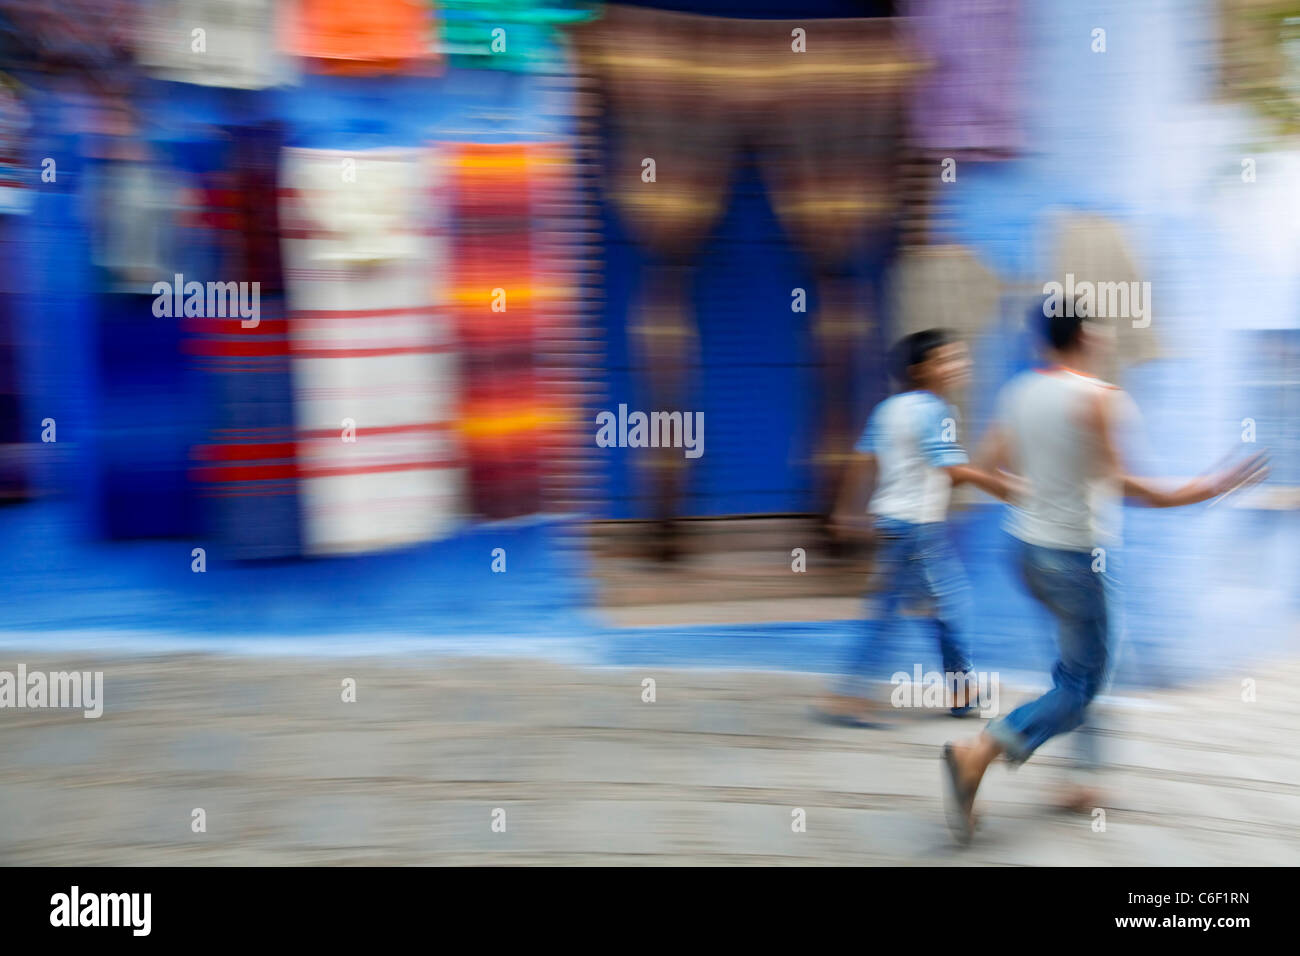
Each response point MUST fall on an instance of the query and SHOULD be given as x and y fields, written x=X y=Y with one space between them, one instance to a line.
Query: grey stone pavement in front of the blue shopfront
x=588 y=773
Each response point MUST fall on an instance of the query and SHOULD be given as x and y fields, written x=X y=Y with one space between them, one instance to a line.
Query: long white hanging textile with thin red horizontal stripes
x=371 y=349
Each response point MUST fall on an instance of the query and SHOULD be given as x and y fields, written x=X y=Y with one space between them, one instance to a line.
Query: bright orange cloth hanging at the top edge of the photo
x=363 y=36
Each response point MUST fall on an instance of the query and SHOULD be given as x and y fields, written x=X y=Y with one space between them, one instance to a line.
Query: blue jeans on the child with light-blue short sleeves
x=916 y=563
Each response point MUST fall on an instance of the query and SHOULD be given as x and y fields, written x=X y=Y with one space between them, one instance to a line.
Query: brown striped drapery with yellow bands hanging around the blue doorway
x=822 y=116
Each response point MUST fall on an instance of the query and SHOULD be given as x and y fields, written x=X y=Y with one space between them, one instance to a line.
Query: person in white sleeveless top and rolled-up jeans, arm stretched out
x=1056 y=430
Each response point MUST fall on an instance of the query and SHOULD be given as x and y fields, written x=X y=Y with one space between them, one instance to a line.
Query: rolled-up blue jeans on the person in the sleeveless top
x=1065 y=583
